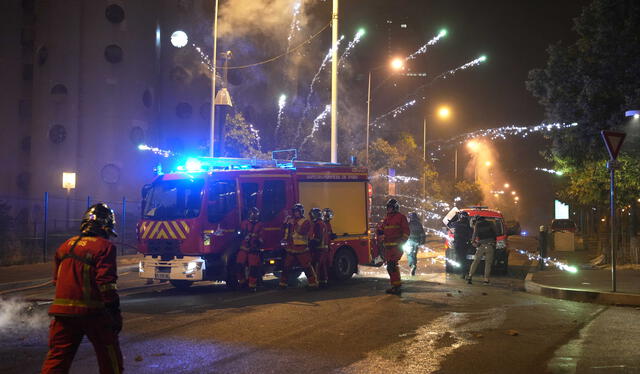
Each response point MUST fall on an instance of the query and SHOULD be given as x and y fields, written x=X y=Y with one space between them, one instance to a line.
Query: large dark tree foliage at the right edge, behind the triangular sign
x=593 y=82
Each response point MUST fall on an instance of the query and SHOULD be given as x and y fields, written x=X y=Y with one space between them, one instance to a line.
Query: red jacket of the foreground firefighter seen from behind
x=85 y=277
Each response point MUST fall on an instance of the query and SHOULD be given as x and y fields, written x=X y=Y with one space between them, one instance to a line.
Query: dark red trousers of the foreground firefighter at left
x=65 y=335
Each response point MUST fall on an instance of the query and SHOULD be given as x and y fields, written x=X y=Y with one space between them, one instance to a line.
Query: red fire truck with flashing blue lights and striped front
x=190 y=218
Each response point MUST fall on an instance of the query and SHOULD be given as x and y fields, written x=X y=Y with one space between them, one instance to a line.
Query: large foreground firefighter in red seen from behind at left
x=86 y=301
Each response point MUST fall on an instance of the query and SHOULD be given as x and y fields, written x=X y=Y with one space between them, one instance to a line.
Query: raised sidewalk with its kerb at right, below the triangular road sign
x=588 y=284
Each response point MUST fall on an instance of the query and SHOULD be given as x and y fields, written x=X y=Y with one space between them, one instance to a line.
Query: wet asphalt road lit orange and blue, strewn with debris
x=438 y=325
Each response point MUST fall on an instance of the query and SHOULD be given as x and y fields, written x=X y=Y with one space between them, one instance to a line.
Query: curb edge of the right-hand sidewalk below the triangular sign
x=572 y=294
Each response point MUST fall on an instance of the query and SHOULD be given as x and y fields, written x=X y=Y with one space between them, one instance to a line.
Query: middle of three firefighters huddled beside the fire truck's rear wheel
x=319 y=245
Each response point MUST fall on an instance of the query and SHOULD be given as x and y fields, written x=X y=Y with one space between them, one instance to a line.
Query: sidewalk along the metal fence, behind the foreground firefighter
x=18 y=276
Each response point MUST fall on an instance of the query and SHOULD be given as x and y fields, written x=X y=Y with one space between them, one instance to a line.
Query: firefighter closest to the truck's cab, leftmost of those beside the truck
x=252 y=235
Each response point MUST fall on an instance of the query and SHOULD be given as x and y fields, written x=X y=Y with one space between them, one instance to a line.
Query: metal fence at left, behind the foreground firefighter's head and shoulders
x=32 y=229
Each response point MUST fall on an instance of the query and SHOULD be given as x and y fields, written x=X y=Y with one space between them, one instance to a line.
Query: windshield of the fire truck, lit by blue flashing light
x=174 y=199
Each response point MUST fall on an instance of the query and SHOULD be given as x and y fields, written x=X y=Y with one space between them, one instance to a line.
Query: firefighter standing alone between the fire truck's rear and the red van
x=395 y=232
